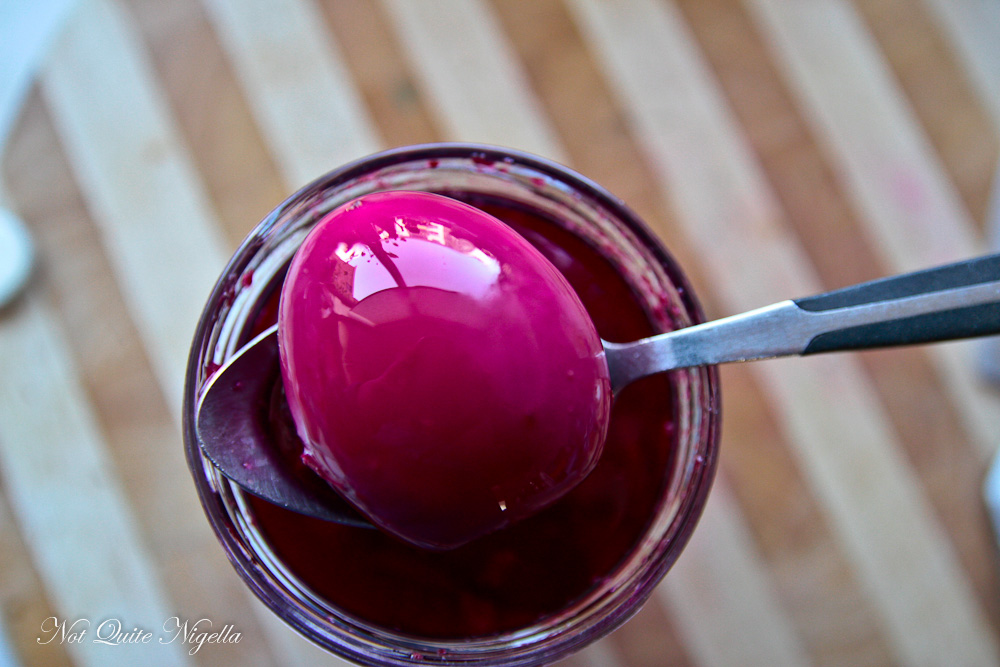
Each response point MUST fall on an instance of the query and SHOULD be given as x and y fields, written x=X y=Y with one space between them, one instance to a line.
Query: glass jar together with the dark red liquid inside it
x=551 y=584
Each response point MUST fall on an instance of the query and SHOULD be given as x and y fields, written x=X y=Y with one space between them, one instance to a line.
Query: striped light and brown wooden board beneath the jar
x=779 y=147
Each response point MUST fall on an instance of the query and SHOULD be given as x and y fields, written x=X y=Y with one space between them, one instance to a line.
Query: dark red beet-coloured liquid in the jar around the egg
x=521 y=574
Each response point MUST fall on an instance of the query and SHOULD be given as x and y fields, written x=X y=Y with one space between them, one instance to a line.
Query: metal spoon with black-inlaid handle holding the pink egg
x=955 y=301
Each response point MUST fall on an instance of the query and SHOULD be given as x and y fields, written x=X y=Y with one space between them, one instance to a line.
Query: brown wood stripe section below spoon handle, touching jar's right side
x=814 y=574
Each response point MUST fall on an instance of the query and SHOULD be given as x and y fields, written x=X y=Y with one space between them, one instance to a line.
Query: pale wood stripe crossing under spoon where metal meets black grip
x=828 y=406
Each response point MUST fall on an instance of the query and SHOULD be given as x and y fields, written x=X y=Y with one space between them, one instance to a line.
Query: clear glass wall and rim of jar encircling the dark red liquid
x=578 y=206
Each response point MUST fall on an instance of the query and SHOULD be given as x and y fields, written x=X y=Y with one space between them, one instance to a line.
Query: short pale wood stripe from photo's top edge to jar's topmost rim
x=471 y=76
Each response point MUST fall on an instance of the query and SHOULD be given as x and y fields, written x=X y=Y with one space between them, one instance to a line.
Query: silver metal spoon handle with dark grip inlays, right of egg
x=955 y=301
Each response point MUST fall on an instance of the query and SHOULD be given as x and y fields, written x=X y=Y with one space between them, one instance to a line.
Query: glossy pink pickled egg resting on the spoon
x=442 y=374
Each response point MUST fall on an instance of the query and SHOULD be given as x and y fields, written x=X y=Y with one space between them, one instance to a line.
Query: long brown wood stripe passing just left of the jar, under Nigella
x=113 y=367
